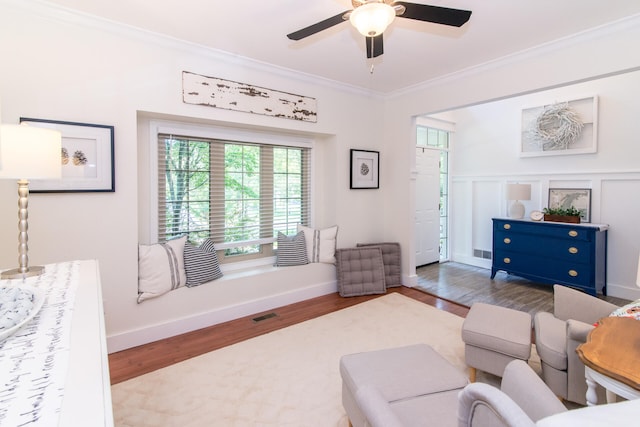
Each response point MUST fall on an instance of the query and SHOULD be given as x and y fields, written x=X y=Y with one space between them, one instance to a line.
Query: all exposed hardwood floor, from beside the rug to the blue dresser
x=449 y=281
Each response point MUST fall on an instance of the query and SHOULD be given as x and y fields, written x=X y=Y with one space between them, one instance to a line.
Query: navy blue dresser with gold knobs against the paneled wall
x=552 y=252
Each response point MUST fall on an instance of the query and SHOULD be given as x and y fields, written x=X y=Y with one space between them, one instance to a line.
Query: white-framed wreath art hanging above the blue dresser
x=560 y=128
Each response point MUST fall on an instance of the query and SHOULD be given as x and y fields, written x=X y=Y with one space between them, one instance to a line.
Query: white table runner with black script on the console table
x=34 y=361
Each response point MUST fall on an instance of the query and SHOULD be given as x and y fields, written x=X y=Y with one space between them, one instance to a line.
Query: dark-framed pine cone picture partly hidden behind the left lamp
x=86 y=158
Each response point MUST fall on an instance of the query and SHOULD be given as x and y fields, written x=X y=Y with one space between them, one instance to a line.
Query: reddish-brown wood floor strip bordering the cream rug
x=136 y=361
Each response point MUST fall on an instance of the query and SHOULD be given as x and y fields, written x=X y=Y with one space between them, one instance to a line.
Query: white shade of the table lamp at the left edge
x=28 y=152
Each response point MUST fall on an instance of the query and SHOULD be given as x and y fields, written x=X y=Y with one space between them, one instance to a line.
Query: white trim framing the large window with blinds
x=157 y=127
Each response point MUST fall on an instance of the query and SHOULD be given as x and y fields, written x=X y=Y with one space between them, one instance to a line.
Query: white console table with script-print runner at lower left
x=55 y=369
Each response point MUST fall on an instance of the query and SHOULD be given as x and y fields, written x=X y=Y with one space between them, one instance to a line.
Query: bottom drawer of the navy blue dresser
x=556 y=271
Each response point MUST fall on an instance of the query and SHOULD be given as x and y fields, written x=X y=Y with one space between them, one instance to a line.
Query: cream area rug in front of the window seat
x=288 y=377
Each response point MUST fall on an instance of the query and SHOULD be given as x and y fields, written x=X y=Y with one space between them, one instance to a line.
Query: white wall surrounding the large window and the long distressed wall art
x=63 y=66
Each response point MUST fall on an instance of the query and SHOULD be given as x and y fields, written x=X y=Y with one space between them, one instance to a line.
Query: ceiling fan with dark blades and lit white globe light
x=372 y=17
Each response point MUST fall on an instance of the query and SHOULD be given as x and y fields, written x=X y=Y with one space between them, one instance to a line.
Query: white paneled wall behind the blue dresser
x=487 y=146
